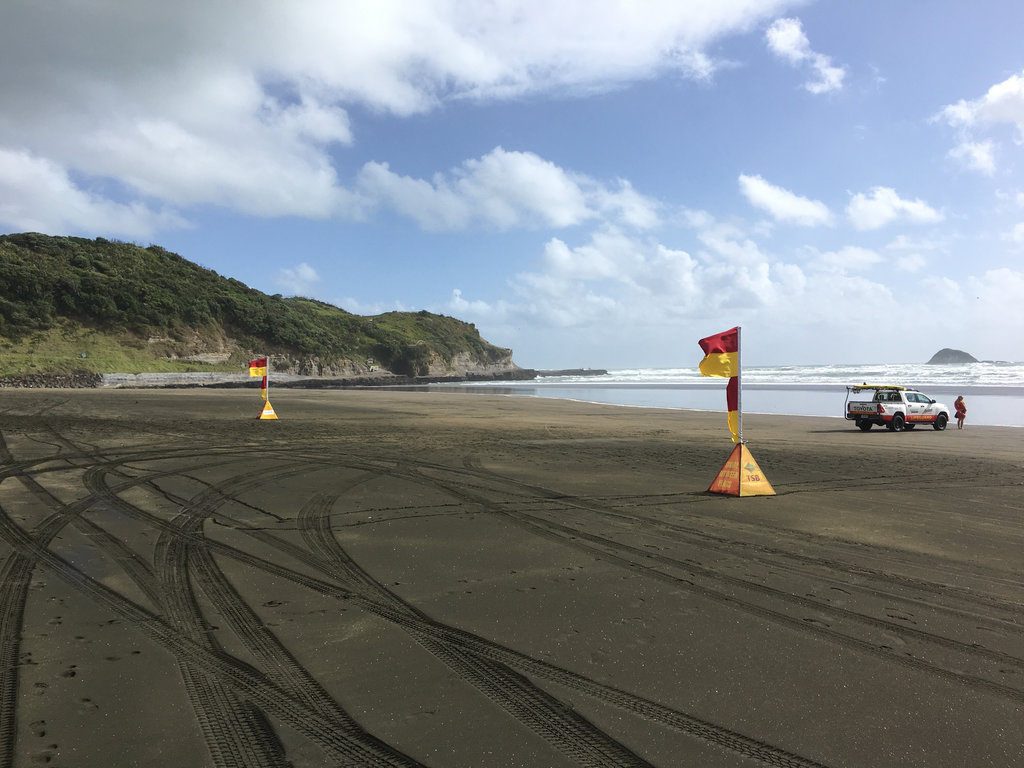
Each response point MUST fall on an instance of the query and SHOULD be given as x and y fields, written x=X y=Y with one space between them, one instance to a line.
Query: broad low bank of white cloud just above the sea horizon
x=616 y=298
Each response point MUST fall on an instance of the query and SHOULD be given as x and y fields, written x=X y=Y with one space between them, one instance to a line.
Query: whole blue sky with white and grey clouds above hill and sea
x=591 y=183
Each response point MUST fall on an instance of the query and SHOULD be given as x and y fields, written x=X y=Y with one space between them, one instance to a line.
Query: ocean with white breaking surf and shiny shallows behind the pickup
x=994 y=392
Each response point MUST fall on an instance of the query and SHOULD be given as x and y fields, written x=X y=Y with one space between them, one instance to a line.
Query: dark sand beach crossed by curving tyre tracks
x=391 y=578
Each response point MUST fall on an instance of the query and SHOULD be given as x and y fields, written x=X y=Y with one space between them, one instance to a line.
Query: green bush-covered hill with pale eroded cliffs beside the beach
x=103 y=307
